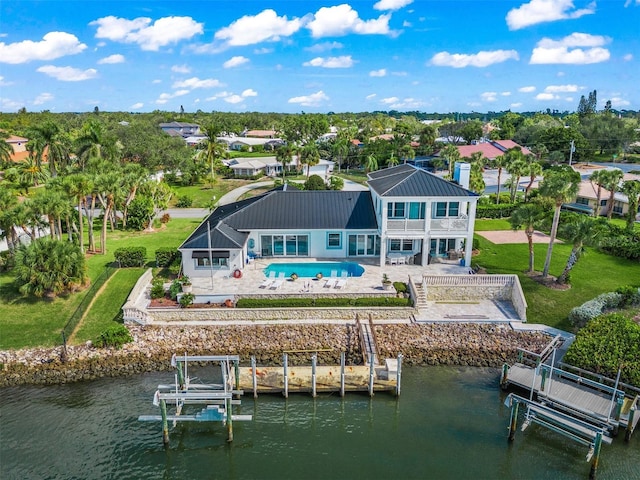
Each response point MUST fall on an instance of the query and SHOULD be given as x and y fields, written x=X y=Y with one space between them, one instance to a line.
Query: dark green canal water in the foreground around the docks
x=449 y=423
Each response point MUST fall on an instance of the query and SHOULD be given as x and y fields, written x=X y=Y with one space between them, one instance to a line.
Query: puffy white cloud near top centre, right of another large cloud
x=342 y=20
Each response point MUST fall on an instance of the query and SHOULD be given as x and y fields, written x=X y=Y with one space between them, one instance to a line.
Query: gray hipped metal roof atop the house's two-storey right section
x=411 y=181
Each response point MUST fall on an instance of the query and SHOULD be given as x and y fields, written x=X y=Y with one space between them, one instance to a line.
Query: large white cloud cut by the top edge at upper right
x=541 y=11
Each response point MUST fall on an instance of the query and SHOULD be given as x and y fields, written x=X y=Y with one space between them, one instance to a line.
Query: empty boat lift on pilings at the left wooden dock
x=217 y=399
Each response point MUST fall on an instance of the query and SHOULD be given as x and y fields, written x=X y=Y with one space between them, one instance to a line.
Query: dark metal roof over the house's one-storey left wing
x=285 y=210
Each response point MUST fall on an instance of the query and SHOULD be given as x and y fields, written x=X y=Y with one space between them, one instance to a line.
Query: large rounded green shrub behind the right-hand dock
x=606 y=343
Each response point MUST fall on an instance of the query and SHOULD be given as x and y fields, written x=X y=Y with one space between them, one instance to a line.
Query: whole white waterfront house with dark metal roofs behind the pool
x=407 y=211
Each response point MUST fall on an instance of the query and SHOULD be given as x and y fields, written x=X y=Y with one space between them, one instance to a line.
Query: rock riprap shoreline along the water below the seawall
x=431 y=344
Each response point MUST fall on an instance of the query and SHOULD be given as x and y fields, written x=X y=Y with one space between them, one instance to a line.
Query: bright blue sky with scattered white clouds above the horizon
x=318 y=56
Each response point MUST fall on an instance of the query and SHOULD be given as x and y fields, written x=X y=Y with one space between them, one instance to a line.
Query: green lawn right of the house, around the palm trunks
x=594 y=274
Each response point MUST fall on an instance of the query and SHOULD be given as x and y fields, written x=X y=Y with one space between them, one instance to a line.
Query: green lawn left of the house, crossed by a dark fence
x=32 y=322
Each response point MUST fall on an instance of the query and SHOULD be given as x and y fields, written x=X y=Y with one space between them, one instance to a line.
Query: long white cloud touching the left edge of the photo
x=53 y=45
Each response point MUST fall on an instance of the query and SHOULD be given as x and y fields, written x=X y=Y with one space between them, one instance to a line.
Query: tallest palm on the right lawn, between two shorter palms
x=561 y=185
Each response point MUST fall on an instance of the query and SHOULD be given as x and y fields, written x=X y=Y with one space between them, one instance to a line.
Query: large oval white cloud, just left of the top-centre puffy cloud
x=266 y=26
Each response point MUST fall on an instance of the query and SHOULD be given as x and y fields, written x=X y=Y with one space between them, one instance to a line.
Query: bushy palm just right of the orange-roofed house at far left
x=48 y=139
